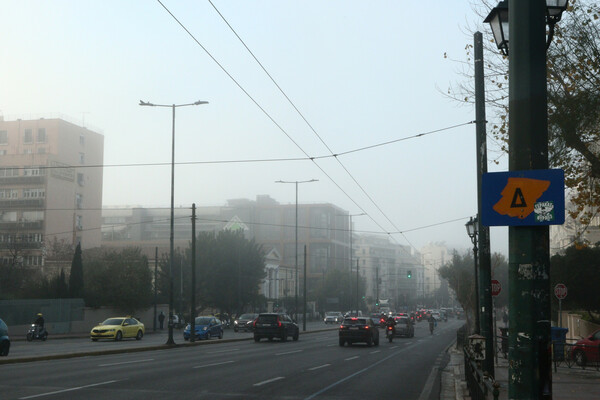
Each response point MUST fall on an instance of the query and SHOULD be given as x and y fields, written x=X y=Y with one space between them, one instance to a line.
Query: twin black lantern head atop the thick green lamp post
x=498 y=20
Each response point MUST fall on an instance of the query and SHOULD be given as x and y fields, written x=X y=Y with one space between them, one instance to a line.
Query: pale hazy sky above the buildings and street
x=361 y=74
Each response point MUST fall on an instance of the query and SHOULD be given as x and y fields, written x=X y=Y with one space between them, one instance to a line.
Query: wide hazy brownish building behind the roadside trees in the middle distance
x=323 y=228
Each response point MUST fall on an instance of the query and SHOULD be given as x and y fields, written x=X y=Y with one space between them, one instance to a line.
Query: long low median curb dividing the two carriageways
x=132 y=350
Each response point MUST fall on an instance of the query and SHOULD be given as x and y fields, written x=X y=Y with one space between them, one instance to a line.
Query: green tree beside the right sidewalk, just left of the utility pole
x=459 y=272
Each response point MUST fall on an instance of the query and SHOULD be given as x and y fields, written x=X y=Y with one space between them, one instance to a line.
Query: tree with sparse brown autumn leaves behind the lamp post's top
x=573 y=61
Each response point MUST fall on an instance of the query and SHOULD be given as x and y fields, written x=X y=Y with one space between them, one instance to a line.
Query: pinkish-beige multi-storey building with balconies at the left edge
x=50 y=188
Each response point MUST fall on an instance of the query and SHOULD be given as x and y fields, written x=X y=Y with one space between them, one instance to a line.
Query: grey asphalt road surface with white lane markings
x=315 y=367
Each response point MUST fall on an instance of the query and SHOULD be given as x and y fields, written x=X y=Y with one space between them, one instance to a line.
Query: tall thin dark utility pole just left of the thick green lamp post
x=486 y=328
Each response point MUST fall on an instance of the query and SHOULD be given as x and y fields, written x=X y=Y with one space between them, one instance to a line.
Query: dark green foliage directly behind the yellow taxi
x=119 y=279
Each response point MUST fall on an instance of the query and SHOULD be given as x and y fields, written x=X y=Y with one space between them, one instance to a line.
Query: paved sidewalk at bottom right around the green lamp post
x=567 y=383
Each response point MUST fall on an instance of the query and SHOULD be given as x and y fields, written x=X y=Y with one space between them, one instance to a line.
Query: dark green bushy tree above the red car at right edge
x=578 y=270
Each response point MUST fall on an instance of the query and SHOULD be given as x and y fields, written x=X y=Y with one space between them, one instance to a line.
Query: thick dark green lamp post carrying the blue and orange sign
x=530 y=373
